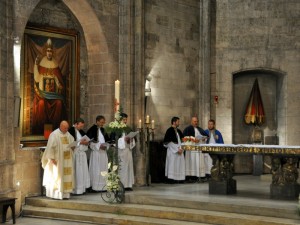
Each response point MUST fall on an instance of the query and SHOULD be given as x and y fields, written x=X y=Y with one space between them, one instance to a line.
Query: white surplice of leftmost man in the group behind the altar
x=175 y=164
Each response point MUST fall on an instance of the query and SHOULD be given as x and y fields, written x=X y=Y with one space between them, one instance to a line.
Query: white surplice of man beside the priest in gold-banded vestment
x=82 y=176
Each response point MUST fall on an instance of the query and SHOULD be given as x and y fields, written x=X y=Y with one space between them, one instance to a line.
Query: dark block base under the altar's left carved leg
x=222 y=187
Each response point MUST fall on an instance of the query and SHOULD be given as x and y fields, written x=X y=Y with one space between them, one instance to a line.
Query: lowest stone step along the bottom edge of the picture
x=97 y=217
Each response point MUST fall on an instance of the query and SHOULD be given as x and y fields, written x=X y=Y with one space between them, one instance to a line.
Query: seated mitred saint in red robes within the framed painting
x=49 y=106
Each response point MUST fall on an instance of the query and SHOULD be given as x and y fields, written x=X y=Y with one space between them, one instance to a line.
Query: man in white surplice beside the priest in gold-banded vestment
x=82 y=176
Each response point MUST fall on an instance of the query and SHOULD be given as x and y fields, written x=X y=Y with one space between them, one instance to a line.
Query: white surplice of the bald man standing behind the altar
x=195 y=161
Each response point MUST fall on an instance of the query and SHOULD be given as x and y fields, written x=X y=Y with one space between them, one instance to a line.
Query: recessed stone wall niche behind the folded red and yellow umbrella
x=271 y=84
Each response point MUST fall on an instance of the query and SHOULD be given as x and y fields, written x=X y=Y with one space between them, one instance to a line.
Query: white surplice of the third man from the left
x=98 y=163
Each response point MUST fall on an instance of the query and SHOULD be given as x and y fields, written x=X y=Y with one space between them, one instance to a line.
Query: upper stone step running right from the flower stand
x=279 y=210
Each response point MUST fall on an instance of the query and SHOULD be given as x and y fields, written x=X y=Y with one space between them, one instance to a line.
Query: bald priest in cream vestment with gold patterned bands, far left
x=57 y=162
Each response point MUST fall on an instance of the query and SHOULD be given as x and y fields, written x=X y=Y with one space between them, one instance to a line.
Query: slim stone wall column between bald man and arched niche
x=204 y=62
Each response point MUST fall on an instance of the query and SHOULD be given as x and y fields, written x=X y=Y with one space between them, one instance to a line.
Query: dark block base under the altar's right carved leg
x=286 y=191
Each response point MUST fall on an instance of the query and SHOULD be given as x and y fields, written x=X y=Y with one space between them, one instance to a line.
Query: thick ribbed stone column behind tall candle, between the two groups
x=131 y=62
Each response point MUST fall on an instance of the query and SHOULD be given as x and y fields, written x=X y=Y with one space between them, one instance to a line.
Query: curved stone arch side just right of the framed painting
x=98 y=54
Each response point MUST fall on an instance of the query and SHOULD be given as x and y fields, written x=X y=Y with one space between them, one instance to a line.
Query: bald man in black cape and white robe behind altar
x=195 y=161
